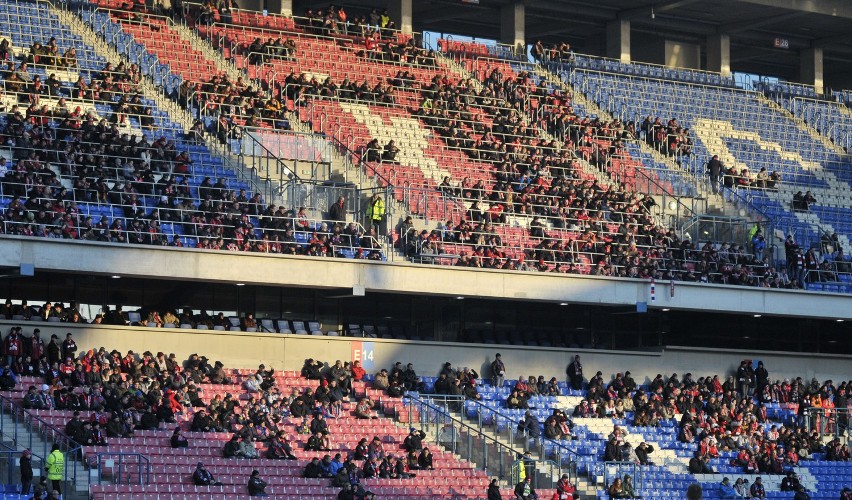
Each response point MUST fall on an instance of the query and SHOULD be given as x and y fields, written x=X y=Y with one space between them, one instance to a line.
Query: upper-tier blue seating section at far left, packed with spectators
x=132 y=175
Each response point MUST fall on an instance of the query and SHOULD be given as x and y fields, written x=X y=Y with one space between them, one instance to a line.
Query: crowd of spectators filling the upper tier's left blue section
x=146 y=181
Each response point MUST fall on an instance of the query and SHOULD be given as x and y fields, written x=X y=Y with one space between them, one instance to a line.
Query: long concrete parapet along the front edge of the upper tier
x=401 y=277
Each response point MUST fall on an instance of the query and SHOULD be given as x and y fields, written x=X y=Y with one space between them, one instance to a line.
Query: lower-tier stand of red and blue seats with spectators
x=747 y=426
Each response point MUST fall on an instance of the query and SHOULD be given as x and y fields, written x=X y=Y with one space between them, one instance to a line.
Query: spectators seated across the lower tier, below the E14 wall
x=126 y=392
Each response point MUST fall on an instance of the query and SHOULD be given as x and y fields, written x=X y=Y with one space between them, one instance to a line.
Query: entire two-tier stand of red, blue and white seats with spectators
x=519 y=173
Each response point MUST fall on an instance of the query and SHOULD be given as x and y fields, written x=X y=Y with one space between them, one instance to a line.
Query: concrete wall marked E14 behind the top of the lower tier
x=288 y=352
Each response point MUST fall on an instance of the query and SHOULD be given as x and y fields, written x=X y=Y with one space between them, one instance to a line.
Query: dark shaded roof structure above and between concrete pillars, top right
x=754 y=27
